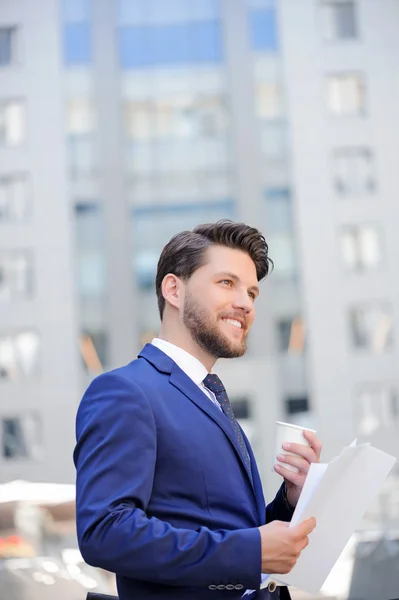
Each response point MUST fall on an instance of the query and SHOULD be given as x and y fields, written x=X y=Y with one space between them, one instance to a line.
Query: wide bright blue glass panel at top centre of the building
x=177 y=44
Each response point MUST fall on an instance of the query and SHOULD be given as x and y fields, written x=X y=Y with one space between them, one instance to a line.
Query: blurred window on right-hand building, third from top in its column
x=354 y=172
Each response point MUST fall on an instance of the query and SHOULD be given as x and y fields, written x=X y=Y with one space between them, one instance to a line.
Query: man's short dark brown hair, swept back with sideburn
x=185 y=252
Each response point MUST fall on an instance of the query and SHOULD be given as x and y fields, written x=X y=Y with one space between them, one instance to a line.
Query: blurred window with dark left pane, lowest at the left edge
x=21 y=437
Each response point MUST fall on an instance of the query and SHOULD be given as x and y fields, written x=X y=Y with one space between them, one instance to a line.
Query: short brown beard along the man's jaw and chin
x=206 y=333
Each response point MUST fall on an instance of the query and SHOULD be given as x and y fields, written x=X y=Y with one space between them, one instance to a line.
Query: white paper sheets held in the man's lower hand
x=337 y=494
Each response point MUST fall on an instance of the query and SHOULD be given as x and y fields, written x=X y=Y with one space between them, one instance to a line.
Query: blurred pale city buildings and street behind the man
x=123 y=122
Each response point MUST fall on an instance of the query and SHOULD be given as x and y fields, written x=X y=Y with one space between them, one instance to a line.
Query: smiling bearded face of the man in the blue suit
x=219 y=300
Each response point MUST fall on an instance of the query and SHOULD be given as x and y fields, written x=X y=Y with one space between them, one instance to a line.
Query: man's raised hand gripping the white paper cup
x=305 y=455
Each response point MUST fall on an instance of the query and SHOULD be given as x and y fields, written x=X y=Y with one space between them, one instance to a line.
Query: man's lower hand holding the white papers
x=282 y=545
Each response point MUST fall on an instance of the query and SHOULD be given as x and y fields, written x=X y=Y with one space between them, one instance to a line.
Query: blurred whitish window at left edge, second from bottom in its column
x=19 y=355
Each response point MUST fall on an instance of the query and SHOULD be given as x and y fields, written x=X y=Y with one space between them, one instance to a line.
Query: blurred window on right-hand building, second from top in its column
x=346 y=94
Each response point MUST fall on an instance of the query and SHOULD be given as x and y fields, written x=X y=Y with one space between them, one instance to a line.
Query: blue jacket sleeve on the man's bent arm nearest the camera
x=115 y=458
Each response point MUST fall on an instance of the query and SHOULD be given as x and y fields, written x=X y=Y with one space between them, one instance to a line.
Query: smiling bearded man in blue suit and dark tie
x=168 y=492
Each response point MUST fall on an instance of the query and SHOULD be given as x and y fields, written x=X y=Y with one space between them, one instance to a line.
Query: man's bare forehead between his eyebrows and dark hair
x=219 y=259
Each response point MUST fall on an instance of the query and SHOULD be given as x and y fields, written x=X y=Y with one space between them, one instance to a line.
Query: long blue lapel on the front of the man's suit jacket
x=185 y=385
